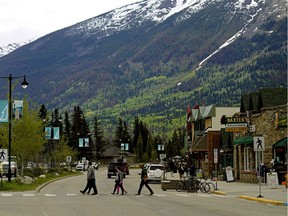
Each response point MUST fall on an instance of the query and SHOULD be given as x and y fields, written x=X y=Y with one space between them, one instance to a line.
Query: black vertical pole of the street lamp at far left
x=10 y=127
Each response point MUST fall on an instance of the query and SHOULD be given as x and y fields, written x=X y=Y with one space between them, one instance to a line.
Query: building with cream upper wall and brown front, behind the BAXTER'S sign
x=209 y=146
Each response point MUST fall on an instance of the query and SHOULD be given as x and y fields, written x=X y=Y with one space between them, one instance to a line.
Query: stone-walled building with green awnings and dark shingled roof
x=266 y=116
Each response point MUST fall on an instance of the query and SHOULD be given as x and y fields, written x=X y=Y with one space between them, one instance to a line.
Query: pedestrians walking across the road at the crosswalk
x=91 y=181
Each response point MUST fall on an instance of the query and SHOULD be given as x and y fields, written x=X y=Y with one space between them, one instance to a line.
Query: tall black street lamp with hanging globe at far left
x=24 y=85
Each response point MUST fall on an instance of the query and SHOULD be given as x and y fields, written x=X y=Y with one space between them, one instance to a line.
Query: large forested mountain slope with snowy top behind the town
x=131 y=60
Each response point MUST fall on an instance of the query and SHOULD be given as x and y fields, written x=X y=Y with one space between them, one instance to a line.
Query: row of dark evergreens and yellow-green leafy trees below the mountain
x=30 y=142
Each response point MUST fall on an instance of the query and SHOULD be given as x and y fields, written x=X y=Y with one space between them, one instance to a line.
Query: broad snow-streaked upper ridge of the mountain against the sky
x=134 y=15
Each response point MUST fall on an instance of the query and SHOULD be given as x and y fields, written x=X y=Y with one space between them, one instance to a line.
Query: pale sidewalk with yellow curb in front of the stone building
x=249 y=191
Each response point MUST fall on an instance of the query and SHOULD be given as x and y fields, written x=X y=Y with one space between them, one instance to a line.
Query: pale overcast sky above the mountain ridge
x=23 y=20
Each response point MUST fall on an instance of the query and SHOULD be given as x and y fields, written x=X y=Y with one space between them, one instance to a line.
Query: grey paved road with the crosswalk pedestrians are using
x=62 y=197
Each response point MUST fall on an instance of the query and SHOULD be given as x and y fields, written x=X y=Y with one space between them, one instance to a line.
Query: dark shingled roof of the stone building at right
x=265 y=97
